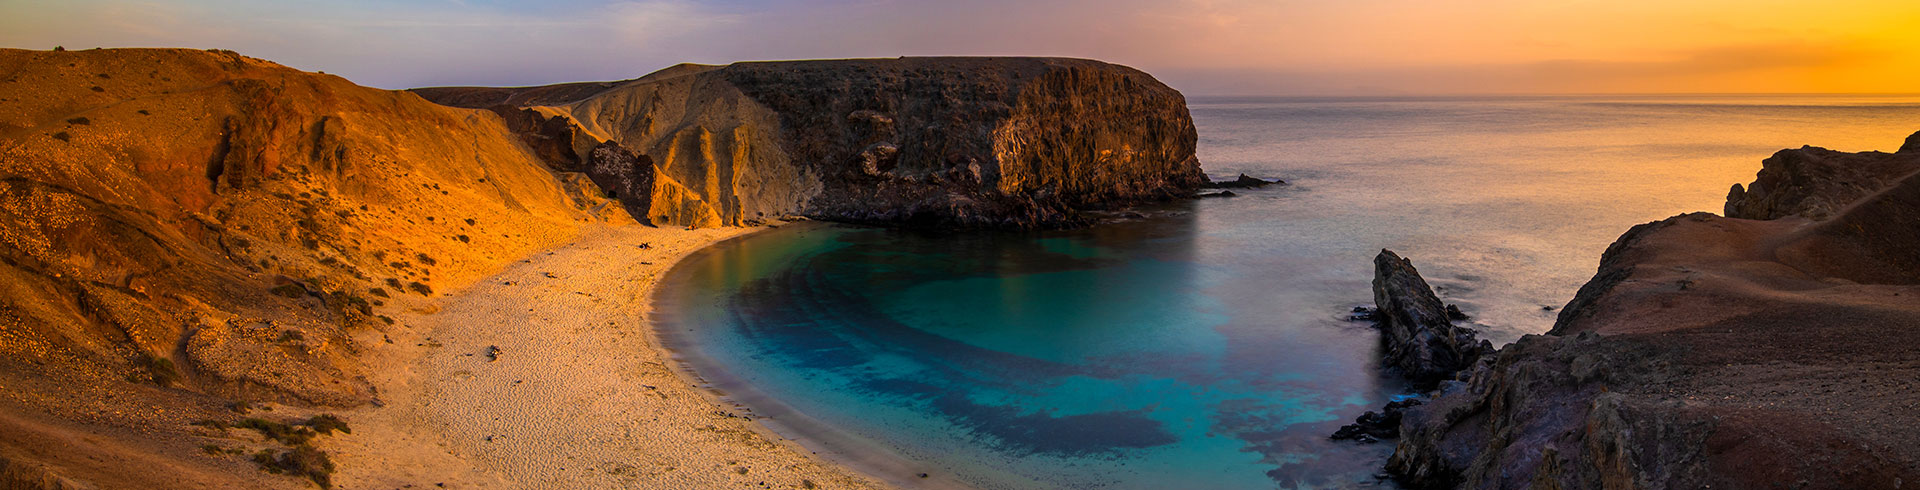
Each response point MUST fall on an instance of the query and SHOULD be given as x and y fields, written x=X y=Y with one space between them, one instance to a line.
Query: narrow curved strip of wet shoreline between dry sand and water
x=779 y=420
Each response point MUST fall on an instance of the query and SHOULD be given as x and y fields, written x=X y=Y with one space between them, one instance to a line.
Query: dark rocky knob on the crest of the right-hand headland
x=1817 y=184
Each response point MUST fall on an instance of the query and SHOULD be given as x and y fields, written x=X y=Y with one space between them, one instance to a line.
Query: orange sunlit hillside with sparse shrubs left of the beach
x=189 y=230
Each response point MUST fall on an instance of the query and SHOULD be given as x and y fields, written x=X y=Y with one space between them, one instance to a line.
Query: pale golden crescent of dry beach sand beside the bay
x=581 y=395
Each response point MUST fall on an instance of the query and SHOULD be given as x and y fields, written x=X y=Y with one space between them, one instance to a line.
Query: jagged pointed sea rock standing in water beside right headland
x=1418 y=333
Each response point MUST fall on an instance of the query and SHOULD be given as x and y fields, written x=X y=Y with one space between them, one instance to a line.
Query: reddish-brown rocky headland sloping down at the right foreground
x=1712 y=353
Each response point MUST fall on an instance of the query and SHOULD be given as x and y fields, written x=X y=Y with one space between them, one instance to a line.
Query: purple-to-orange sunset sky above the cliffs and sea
x=1201 y=47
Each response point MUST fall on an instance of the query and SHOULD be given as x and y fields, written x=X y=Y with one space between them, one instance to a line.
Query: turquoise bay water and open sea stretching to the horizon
x=1205 y=347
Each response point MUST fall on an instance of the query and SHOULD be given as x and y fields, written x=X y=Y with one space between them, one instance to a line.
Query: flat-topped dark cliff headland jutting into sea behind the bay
x=917 y=141
